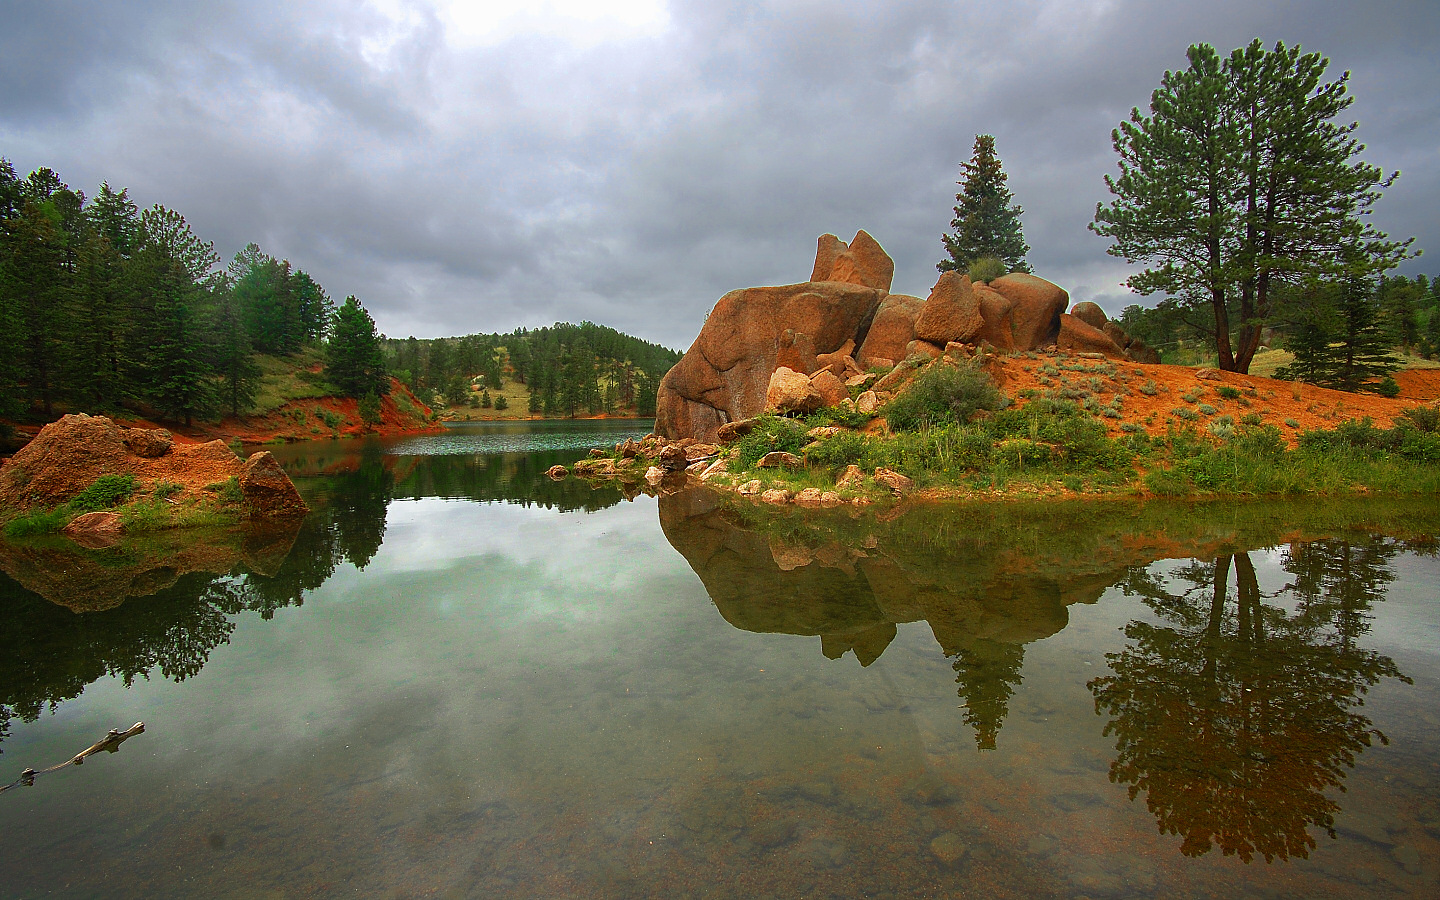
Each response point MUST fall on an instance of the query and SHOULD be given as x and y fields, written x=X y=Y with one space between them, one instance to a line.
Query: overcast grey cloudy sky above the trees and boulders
x=482 y=166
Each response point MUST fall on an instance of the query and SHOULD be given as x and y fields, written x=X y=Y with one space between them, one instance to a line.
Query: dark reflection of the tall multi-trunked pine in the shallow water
x=1235 y=715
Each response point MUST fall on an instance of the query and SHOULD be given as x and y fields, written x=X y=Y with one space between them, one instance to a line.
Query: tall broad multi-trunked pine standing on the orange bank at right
x=1210 y=199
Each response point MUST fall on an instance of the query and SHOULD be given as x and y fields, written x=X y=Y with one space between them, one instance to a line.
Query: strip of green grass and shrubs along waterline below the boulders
x=954 y=434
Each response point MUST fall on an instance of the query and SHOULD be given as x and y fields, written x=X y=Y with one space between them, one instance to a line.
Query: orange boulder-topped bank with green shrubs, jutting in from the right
x=836 y=391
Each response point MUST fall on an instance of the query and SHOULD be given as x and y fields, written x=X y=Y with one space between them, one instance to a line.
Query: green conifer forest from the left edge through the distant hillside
x=106 y=307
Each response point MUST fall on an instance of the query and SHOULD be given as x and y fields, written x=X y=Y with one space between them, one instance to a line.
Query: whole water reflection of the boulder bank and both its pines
x=1235 y=712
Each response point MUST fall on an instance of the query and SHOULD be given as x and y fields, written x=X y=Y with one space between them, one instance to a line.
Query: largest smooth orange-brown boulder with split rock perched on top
x=726 y=374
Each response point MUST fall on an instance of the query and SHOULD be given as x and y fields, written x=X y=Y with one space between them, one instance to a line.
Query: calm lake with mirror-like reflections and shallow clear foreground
x=460 y=679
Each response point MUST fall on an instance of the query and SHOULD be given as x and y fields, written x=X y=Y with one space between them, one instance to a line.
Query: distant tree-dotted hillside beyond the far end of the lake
x=561 y=371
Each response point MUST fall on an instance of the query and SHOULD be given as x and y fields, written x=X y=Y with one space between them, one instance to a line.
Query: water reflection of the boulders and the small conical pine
x=981 y=606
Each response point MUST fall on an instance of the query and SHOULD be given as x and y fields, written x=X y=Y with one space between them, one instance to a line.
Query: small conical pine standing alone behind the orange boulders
x=987 y=224
